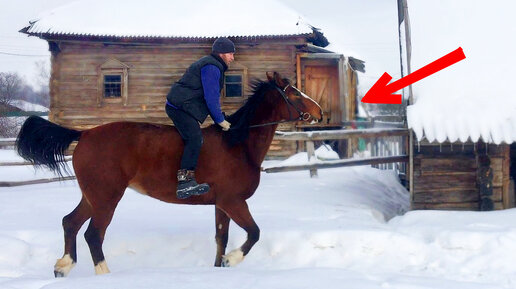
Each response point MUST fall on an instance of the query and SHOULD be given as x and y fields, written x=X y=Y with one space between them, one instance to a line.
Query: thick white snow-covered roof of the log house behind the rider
x=170 y=19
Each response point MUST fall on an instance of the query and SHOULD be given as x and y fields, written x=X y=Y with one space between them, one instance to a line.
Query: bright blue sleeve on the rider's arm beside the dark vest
x=210 y=76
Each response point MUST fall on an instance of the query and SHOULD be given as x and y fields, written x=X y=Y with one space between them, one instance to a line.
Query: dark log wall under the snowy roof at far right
x=455 y=177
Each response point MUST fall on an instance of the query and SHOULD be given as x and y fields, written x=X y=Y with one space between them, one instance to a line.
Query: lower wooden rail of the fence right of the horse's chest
x=339 y=163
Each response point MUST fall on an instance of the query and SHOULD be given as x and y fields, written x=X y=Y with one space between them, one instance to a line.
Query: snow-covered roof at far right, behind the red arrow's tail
x=472 y=100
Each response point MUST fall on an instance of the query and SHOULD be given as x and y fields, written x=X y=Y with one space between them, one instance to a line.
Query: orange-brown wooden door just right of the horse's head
x=322 y=85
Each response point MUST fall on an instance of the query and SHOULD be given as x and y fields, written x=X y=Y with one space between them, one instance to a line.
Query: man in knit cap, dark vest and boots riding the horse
x=189 y=102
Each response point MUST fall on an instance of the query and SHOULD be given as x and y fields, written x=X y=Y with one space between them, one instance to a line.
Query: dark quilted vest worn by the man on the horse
x=188 y=94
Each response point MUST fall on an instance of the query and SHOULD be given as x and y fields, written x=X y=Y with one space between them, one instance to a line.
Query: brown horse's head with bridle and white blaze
x=297 y=104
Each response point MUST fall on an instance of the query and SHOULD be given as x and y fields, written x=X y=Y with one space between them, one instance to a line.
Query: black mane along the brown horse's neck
x=240 y=120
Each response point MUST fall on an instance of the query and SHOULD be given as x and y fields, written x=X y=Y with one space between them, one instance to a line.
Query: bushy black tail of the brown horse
x=44 y=143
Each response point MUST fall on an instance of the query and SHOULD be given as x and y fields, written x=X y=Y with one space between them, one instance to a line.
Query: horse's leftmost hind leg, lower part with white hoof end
x=71 y=225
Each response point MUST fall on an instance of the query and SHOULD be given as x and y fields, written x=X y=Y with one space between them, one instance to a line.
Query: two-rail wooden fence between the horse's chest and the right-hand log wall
x=310 y=137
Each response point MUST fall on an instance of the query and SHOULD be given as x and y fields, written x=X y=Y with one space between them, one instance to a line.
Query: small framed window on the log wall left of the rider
x=113 y=83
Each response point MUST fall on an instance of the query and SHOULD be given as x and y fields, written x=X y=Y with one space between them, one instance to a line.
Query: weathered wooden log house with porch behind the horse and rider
x=98 y=78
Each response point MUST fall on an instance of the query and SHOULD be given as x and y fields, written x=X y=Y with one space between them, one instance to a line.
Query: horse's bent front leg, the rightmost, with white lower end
x=239 y=213
